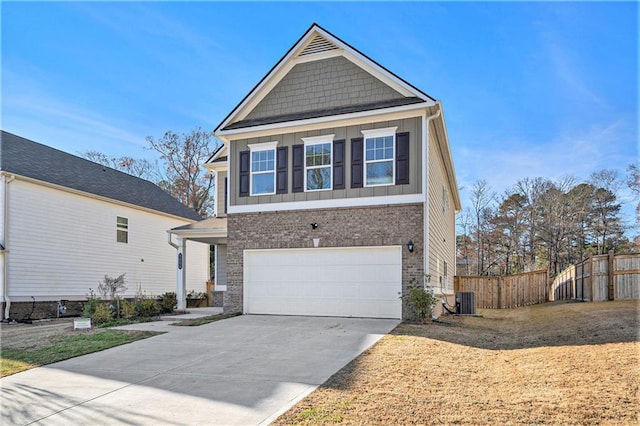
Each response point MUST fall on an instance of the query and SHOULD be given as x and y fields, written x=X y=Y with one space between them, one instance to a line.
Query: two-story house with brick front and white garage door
x=337 y=189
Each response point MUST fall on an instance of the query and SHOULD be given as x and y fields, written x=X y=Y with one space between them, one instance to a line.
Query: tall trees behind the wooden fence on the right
x=540 y=223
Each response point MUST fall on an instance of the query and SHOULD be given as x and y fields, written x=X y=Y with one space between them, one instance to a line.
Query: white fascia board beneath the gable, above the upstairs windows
x=354 y=118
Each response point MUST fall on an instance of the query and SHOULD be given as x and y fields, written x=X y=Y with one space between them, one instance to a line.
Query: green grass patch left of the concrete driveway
x=13 y=361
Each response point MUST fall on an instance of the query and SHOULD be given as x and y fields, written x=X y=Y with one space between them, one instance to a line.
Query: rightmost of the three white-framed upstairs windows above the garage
x=379 y=150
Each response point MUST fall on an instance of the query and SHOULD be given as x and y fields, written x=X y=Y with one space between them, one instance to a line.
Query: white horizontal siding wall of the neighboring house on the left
x=63 y=244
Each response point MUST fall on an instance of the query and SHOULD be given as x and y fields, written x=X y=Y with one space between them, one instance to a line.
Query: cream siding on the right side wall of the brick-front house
x=441 y=220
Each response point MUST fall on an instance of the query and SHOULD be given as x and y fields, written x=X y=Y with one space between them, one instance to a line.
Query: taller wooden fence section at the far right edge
x=598 y=278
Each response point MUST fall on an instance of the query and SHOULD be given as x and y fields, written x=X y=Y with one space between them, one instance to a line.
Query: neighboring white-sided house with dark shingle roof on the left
x=66 y=222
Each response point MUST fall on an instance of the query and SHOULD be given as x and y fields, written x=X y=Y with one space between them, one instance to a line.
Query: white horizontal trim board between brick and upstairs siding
x=328 y=204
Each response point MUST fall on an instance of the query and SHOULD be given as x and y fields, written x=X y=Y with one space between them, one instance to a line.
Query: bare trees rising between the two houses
x=178 y=169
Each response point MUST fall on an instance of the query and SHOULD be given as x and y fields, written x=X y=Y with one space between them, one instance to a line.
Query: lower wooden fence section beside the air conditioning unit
x=506 y=292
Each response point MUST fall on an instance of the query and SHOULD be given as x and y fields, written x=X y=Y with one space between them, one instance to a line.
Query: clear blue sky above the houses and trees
x=528 y=88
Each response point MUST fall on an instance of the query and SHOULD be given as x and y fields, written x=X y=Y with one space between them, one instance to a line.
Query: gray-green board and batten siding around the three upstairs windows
x=412 y=125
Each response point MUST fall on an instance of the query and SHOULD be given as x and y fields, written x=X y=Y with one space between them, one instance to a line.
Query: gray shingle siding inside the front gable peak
x=319 y=85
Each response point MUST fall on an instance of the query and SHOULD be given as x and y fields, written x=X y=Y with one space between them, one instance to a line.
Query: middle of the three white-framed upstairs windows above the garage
x=317 y=163
